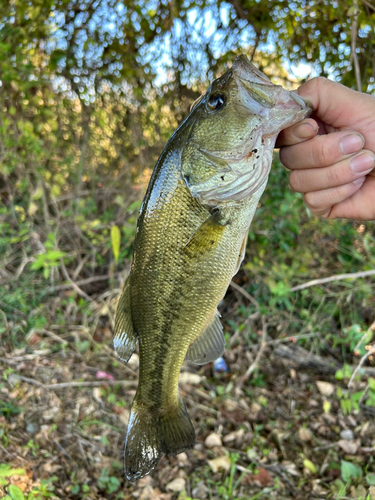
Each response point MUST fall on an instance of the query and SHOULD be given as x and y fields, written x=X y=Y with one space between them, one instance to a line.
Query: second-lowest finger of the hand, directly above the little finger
x=343 y=172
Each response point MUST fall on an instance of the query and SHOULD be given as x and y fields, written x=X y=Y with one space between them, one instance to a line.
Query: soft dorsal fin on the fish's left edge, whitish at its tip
x=125 y=339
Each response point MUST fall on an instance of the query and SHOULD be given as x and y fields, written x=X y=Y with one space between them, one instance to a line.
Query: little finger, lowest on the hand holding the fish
x=321 y=202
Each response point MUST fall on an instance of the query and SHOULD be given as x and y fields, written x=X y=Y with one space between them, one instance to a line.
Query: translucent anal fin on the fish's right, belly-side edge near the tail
x=209 y=345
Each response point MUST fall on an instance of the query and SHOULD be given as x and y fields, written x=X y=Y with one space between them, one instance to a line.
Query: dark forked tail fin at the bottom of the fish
x=150 y=435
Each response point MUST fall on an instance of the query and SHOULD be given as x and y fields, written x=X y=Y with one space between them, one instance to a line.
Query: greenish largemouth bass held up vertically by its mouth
x=190 y=241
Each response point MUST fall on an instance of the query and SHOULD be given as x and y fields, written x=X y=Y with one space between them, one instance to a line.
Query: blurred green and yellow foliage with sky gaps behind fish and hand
x=89 y=93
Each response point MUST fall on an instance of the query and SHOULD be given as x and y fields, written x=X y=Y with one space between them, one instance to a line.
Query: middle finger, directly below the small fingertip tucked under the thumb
x=322 y=150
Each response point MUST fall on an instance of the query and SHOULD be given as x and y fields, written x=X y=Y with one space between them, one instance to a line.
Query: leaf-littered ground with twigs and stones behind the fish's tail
x=291 y=430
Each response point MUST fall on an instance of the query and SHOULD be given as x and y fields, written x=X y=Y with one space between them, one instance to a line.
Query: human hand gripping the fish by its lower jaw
x=332 y=154
